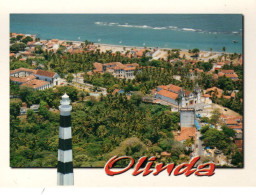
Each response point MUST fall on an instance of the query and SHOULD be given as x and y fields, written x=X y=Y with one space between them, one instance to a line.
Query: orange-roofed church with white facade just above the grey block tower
x=178 y=96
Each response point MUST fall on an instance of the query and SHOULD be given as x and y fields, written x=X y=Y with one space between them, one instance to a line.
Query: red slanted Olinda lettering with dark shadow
x=187 y=169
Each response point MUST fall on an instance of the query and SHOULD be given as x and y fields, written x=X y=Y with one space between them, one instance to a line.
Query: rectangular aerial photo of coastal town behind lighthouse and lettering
x=169 y=86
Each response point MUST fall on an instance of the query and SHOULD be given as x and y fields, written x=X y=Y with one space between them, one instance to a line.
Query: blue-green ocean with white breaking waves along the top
x=181 y=31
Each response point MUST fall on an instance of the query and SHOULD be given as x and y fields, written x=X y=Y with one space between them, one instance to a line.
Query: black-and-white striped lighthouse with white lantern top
x=65 y=164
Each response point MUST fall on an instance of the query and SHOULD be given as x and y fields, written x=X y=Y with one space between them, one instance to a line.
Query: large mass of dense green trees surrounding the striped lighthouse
x=101 y=129
